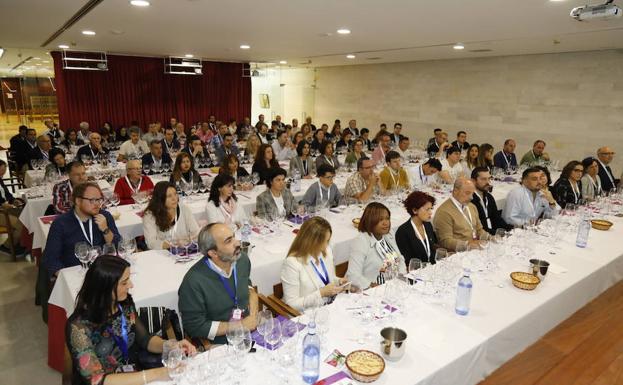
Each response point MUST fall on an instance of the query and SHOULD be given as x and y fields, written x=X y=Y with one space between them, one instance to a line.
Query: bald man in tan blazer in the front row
x=456 y=221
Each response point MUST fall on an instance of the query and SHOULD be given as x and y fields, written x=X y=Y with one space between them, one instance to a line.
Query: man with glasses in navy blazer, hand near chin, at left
x=87 y=222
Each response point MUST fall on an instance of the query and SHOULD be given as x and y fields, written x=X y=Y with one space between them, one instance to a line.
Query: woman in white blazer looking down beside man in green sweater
x=308 y=273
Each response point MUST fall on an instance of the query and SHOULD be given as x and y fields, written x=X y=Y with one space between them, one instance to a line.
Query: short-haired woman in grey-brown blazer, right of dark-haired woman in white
x=277 y=199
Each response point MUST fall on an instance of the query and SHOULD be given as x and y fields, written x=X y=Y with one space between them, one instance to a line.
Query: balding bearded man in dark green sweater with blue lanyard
x=217 y=288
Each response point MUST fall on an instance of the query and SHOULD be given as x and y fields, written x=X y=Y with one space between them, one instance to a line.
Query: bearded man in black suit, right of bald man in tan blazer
x=485 y=203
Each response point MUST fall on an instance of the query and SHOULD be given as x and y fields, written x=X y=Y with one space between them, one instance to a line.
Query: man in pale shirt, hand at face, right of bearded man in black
x=530 y=200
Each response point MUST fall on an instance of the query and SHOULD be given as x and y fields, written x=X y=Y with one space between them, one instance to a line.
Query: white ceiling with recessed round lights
x=296 y=30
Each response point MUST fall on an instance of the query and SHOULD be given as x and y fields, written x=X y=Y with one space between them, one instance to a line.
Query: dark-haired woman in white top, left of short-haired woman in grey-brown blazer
x=223 y=206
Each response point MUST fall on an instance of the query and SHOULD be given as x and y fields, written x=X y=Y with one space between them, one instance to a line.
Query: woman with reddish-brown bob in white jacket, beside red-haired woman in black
x=374 y=253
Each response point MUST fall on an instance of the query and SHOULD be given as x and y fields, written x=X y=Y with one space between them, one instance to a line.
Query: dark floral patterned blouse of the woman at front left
x=94 y=350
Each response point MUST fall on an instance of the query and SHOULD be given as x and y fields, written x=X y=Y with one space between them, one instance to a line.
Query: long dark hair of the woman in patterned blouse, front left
x=98 y=293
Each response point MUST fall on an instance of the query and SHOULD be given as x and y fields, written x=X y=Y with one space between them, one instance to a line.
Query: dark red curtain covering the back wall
x=137 y=89
